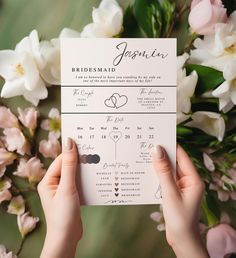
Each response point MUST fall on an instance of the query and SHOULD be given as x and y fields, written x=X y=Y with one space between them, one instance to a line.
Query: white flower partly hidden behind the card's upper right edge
x=185 y=89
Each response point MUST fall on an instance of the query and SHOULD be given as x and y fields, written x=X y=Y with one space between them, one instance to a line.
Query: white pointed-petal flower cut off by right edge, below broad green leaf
x=226 y=92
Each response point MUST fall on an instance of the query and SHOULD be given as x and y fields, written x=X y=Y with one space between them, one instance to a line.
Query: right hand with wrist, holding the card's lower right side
x=181 y=203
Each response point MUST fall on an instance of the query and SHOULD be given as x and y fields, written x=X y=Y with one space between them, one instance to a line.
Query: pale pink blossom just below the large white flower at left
x=28 y=117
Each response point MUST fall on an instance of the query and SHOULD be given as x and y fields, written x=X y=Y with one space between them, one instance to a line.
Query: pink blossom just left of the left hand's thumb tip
x=50 y=148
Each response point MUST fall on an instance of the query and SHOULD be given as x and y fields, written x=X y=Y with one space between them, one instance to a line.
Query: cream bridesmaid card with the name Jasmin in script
x=118 y=100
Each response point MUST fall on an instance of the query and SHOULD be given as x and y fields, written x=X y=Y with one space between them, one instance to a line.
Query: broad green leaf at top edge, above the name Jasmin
x=148 y=14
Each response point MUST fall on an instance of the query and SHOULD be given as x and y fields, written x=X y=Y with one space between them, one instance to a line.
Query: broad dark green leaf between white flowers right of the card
x=208 y=78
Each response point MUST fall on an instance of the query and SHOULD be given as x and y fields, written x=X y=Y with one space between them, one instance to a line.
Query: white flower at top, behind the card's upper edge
x=107 y=21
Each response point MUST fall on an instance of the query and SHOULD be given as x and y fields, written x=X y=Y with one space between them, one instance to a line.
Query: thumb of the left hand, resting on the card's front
x=69 y=165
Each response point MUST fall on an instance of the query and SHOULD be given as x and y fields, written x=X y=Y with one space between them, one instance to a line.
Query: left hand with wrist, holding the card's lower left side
x=60 y=201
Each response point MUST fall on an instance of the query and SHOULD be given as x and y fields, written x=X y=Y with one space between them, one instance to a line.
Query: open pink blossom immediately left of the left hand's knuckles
x=31 y=169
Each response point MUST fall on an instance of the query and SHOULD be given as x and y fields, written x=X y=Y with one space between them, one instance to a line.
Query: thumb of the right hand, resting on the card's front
x=163 y=169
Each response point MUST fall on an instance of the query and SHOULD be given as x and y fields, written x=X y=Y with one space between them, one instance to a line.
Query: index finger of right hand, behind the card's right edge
x=185 y=164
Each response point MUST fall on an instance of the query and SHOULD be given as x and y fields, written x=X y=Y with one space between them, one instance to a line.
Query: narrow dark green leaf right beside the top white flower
x=131 y=27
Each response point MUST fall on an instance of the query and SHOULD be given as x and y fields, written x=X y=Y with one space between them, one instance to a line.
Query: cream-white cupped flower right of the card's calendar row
x=209 y=122
